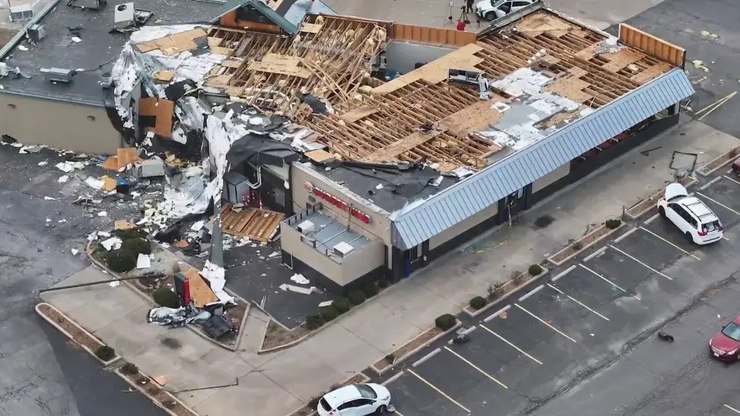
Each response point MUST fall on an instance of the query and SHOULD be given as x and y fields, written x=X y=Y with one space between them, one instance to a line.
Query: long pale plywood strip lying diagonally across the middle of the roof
x=436 y=71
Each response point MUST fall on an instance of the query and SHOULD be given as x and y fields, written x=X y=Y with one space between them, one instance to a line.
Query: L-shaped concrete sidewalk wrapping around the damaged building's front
x=277 y=383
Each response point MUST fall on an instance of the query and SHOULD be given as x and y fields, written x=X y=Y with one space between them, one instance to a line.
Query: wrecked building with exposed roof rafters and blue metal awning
x=371 y=148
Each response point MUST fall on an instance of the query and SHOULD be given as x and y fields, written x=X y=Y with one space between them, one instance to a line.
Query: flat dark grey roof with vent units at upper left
x=95 y=53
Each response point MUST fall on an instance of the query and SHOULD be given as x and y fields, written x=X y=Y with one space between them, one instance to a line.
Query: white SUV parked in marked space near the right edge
x=695 y=220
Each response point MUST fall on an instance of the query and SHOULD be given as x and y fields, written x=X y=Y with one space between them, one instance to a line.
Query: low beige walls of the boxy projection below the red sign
x=355 y=265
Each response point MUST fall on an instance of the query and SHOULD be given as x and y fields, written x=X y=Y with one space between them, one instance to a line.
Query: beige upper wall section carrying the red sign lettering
x=379 y=224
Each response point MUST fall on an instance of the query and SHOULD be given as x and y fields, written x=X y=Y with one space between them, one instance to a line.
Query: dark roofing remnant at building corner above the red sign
x=400 y=185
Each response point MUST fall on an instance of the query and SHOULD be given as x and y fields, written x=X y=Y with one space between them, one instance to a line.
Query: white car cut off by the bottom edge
x=355 y=400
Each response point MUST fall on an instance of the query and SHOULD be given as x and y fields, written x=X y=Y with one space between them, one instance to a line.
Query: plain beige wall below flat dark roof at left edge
x=77 y=127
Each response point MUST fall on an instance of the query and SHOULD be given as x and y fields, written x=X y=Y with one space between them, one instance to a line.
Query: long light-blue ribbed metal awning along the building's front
x=512 y=173
